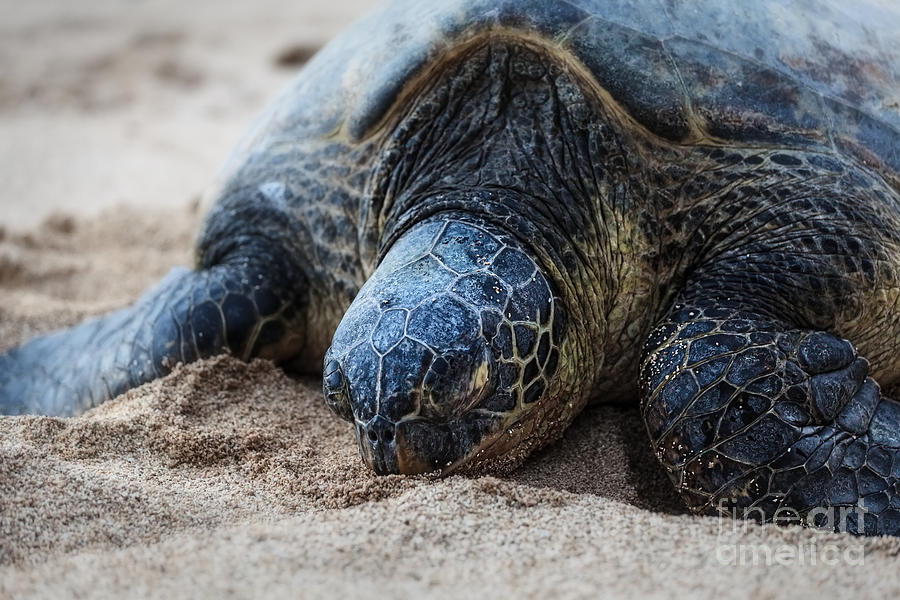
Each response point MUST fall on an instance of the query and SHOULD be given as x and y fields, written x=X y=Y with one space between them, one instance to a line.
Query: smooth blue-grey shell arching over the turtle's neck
x=813 y=73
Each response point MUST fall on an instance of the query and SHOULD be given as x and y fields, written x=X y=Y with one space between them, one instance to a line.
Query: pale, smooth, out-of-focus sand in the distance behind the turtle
x=112 y=102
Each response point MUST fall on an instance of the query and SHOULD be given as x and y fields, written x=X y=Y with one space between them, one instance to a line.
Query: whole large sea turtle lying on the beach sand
x=482 y=215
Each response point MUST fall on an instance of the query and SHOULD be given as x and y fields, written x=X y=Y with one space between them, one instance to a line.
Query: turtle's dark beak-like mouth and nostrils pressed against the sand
x=416 y=445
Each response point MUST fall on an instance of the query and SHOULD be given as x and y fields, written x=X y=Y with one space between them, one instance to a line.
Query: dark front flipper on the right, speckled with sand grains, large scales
x=749 y=416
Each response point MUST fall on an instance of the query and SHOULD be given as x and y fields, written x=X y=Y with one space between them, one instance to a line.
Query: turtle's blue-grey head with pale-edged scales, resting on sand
x=447 y=352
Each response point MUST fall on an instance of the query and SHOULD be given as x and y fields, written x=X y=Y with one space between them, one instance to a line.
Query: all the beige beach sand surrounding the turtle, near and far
x=227 y=479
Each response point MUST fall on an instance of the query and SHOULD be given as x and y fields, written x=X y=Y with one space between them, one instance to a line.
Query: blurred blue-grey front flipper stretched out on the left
x=229 y=308
